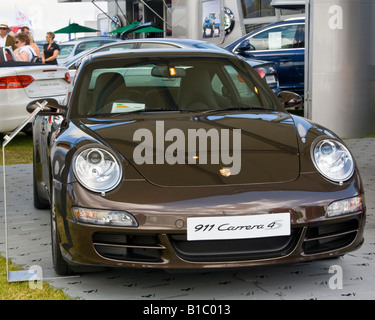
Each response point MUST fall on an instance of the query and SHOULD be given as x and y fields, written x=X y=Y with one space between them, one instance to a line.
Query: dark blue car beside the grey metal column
x=283 y=43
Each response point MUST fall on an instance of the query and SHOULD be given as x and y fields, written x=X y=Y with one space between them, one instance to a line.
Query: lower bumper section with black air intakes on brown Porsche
x=105 y=247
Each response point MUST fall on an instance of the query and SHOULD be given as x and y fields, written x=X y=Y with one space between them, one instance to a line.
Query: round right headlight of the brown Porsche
x=333 y=160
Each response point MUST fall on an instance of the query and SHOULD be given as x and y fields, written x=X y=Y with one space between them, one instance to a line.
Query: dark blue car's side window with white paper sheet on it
x=283 y=37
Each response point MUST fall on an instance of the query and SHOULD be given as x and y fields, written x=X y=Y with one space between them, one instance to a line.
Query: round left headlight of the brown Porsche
x=97 y=169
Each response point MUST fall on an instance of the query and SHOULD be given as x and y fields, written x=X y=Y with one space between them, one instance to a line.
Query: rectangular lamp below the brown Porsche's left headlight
x=105 y=217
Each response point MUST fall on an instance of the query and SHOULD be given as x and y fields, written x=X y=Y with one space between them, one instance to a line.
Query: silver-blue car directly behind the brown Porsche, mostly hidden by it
x=266 y=70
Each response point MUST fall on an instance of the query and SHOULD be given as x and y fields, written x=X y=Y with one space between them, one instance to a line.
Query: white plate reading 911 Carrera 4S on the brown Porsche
x=239 y=227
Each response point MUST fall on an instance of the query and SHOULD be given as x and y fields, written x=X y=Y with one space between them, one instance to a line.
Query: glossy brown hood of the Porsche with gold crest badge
x=246 y=148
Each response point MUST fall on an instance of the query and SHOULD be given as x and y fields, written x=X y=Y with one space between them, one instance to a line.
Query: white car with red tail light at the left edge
x=22 y=82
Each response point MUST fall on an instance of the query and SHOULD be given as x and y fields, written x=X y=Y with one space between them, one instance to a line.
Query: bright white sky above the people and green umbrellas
x=49 y=15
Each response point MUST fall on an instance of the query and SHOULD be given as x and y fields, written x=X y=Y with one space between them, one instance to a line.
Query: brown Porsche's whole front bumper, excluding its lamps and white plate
x=160 y=240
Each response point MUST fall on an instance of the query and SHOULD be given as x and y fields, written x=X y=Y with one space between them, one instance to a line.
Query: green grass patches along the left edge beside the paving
x=20 y=151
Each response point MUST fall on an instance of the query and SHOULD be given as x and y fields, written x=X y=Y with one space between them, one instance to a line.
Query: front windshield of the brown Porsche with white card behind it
x=179 y=85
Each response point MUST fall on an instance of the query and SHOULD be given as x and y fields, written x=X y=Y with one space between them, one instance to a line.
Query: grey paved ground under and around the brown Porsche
x=29 y=244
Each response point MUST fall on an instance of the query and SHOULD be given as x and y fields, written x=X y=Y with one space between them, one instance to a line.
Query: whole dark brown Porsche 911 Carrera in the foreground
x=186 y=159
